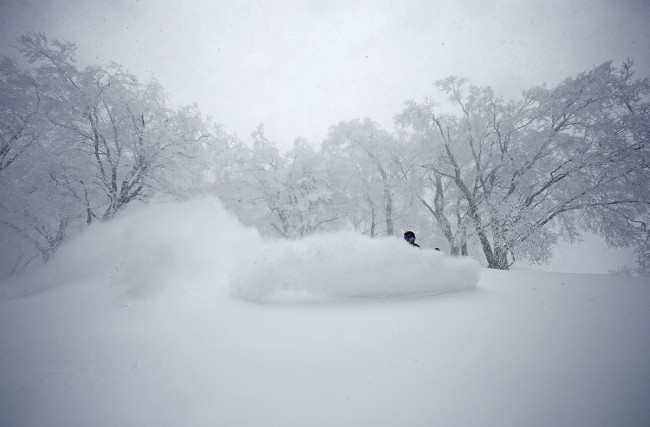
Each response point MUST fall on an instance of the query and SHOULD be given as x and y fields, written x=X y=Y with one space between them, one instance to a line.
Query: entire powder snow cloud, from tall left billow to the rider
x=194 y=244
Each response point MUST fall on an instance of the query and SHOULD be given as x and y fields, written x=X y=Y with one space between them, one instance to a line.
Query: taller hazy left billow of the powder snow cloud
x=149 y=248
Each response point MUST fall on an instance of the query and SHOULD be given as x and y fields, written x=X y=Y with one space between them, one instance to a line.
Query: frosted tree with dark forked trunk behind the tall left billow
x=122 y=128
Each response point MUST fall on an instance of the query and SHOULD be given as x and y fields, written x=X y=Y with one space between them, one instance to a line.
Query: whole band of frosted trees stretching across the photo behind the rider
x=469 y=171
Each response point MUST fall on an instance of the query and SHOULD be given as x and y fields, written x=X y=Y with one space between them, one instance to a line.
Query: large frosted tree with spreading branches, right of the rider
x=530 y=170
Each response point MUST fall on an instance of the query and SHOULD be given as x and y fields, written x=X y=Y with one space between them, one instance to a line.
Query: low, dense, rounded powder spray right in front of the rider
x=347 y=264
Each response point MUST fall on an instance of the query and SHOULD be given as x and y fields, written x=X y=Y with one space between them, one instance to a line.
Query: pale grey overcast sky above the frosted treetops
x=302 y=66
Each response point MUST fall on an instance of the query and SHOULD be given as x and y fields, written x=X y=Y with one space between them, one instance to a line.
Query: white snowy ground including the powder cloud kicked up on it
x=176 y=315
